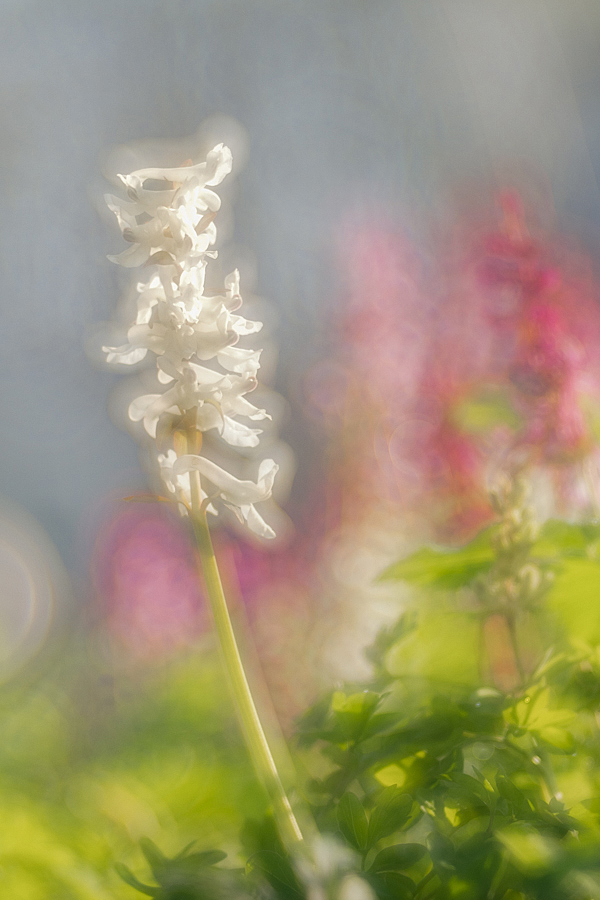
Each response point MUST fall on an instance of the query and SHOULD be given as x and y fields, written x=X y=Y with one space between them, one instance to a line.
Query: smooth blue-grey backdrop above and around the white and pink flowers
x=345 y=102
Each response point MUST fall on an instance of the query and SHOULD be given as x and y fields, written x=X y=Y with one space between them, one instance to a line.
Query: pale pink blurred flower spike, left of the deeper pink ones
x=383 y=319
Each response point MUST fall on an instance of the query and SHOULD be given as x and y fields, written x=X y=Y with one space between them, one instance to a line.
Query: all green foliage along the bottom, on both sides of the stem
x=468 y=767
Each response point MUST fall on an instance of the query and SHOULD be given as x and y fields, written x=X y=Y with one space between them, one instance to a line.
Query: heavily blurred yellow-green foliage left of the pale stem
x=93 y=759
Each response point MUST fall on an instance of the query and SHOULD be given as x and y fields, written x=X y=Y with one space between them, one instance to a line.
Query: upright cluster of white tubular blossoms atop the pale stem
x=168 y=219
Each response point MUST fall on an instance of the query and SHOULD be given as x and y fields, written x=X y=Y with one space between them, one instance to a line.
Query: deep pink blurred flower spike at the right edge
x=555 y=326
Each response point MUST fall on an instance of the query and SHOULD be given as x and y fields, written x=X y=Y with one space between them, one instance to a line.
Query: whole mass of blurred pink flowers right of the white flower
x=500 y=309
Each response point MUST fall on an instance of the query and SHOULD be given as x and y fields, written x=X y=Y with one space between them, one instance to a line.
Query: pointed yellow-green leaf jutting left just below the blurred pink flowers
x=444 y=569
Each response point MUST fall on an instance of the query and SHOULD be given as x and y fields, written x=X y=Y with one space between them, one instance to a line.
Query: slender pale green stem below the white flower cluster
x=253 y=730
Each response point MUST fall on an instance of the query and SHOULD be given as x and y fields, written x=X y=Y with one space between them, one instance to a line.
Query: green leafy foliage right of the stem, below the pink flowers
x=470 y=766
